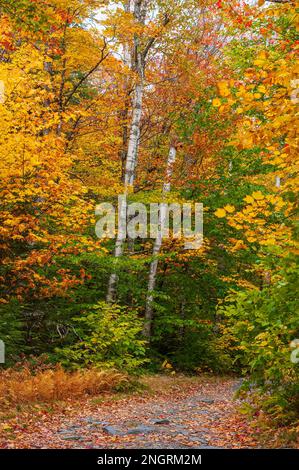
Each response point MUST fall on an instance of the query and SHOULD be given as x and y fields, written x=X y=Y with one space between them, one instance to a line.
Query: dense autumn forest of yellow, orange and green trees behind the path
x=189 y=100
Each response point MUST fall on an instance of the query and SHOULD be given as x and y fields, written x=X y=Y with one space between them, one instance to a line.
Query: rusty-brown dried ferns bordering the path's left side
x=24 y=386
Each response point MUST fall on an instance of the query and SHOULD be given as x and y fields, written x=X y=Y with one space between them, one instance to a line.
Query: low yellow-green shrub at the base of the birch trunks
x=110 y=337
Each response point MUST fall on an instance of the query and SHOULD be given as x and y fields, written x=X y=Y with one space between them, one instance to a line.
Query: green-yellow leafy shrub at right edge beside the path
x=259 y=329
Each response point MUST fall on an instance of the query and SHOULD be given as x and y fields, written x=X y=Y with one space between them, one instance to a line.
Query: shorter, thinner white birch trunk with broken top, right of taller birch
x=149 y=311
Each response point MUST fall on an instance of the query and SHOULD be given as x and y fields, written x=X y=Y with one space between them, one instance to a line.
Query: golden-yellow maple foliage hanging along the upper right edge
x=266 y=101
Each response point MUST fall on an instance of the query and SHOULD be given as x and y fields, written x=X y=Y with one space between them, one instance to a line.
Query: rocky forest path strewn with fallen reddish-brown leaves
x=178 y=413
